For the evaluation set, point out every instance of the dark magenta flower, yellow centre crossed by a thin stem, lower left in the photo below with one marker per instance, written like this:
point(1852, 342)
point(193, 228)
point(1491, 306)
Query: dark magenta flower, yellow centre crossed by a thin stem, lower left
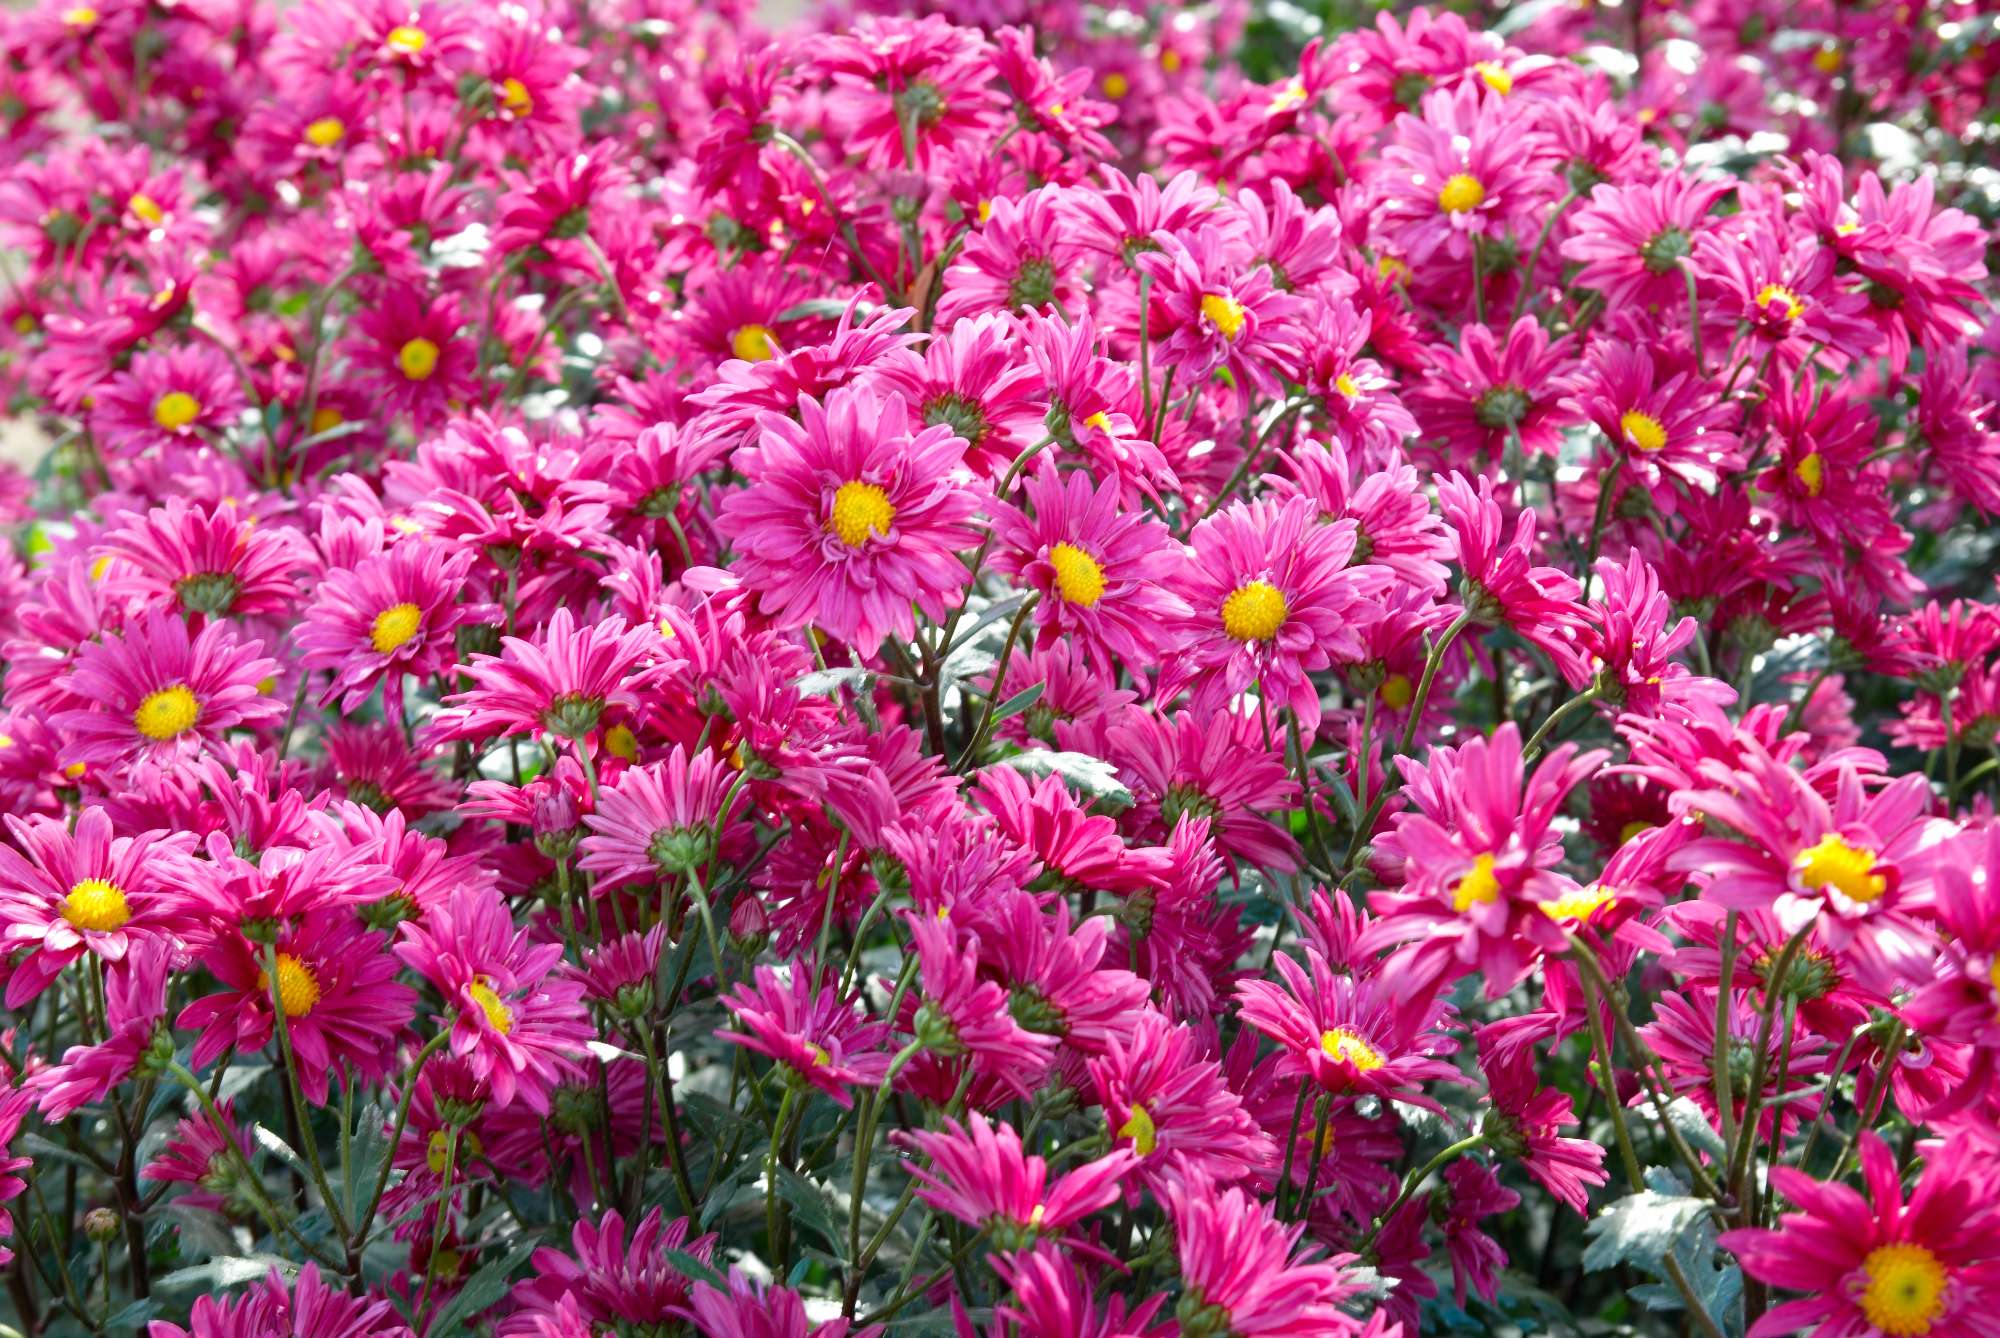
point(339, 991)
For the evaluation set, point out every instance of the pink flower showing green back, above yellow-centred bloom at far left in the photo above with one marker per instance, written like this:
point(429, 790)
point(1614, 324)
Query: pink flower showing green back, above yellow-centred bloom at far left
point(205, 561)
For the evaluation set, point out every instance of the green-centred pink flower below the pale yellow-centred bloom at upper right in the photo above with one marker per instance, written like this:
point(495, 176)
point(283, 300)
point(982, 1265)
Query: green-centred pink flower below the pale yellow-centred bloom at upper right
point(1485, 395)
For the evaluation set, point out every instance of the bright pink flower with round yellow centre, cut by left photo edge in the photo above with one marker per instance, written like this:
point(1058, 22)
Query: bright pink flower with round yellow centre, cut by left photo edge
point(85, 891)
